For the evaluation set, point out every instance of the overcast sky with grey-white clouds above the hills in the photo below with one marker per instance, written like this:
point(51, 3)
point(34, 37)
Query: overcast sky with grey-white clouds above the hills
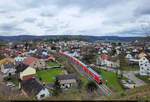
point(74, 17)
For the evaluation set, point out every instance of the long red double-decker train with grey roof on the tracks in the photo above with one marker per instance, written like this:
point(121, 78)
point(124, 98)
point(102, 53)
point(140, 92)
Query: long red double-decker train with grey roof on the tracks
point(88, 70)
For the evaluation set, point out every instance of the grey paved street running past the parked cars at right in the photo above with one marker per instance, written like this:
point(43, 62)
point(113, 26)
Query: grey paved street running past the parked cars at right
point(129, 74)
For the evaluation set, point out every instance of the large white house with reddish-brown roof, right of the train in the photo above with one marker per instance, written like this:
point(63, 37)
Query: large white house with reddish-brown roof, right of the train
point(108, 61)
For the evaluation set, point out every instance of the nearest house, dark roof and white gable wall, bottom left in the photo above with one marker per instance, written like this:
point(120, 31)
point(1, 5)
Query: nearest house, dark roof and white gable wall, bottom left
point(33, 87)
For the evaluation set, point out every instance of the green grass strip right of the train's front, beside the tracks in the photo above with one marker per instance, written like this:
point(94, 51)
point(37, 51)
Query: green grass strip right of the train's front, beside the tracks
point(112, 79)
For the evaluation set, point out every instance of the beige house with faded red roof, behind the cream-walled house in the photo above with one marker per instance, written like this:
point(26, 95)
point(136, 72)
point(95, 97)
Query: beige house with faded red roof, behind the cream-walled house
point(34, 62)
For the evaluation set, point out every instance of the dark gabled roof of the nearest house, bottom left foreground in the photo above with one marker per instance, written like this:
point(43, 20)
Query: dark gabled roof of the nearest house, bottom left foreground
point(32, 86)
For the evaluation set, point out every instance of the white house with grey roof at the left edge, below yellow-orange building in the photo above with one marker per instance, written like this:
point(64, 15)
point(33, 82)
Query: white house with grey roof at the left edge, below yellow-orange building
point(8, 67)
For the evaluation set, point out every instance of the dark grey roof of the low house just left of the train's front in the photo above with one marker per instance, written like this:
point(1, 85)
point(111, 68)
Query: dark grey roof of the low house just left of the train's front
point(66, 77)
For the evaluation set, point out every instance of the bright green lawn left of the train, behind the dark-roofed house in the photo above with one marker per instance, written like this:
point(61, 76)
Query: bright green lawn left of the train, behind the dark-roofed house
point(49, 74)
